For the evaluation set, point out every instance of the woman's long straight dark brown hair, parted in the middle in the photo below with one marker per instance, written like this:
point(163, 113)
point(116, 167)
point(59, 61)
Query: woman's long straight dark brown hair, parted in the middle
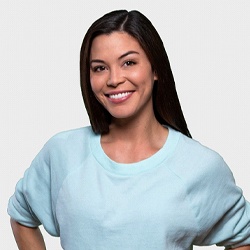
point(167, 108)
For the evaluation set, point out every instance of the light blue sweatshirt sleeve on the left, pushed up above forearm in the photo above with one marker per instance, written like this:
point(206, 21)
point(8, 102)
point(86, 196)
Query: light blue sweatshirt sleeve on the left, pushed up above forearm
point(32, 202)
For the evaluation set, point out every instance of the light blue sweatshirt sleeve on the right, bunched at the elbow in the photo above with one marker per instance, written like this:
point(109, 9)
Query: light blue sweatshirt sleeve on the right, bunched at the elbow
point(222, 212)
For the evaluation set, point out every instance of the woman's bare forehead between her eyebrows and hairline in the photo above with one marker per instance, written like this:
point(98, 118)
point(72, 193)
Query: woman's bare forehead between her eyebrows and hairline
point(114, 43)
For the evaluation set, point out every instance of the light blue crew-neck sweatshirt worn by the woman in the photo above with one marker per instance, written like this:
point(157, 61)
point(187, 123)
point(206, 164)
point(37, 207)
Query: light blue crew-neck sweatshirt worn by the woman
point(183, 195)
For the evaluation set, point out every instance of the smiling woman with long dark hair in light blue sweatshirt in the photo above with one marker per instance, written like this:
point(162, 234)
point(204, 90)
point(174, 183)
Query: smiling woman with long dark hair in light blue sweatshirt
point(135, 179)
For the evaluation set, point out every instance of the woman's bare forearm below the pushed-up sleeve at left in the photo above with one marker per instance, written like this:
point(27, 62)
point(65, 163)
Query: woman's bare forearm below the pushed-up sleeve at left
point(27, 238)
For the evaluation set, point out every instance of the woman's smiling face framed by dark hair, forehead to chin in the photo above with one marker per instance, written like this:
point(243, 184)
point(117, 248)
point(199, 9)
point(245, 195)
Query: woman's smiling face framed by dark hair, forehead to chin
point(121, 75)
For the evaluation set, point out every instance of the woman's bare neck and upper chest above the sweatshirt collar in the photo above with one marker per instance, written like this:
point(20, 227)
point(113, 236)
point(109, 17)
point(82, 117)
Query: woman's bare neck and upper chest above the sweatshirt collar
point(134, 141)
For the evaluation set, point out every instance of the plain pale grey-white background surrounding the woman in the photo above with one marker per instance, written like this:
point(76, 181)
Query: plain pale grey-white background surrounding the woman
point(208, 43)
